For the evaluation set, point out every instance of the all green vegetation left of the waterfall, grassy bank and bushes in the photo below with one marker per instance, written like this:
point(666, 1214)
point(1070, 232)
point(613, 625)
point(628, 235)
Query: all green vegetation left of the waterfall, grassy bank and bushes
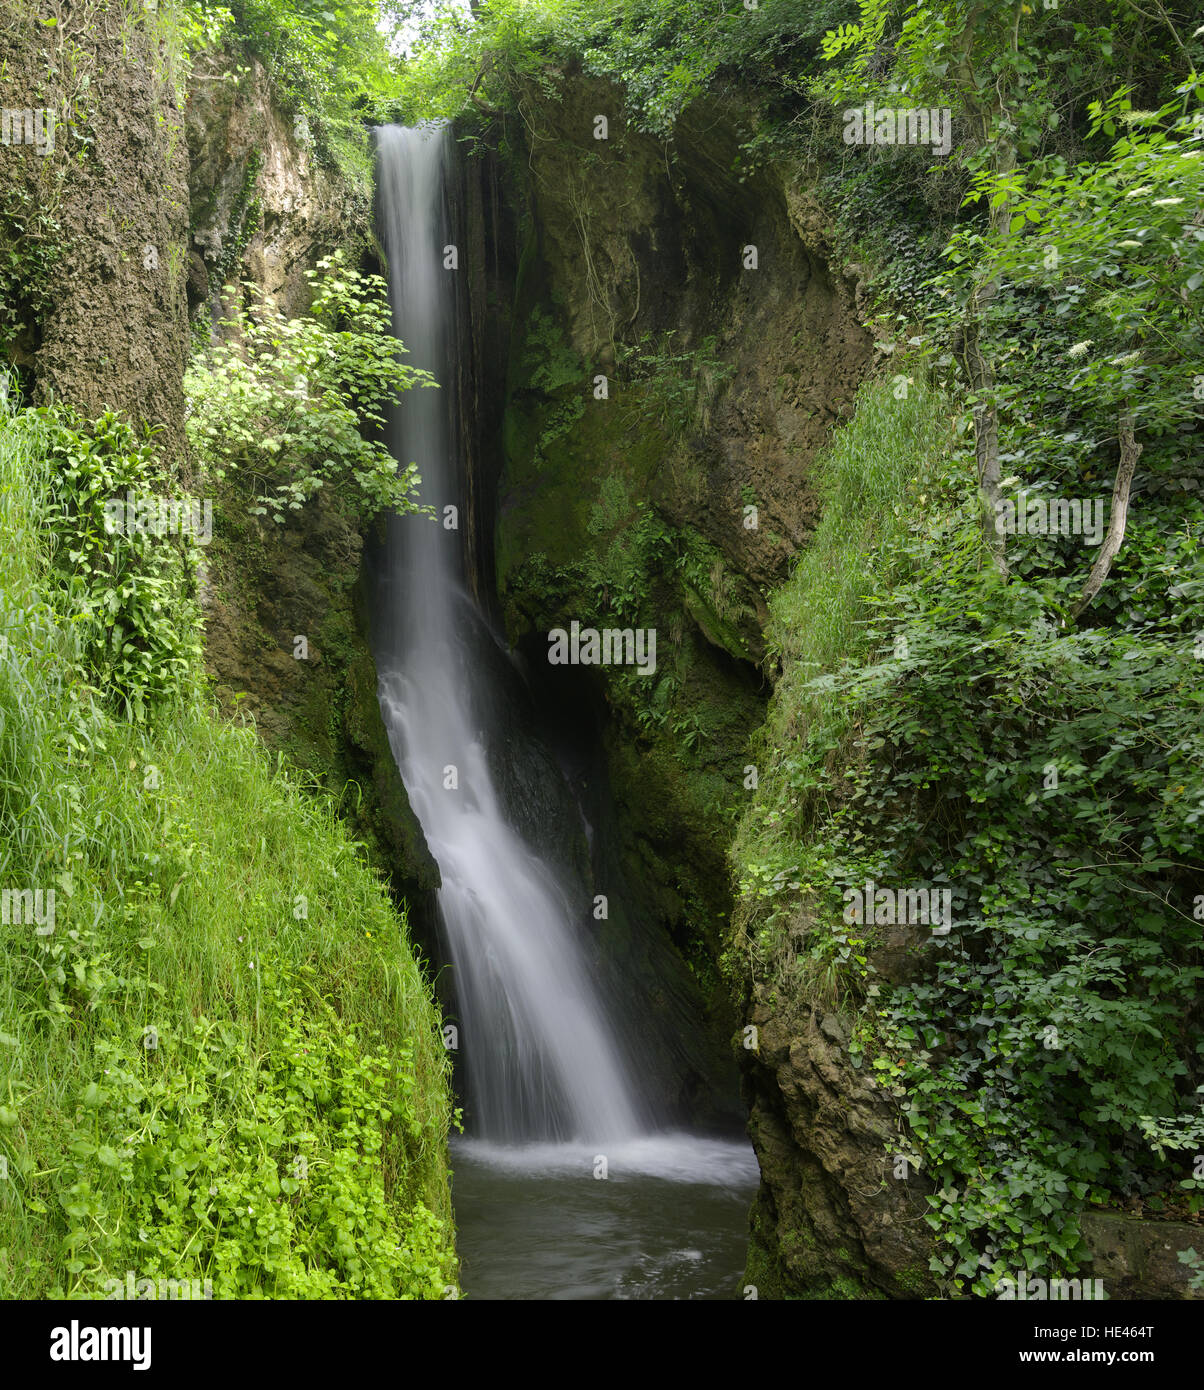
point(220, 1063)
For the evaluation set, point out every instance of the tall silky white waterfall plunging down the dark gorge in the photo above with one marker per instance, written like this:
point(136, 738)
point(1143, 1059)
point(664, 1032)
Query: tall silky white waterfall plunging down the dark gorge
point(542, 1057)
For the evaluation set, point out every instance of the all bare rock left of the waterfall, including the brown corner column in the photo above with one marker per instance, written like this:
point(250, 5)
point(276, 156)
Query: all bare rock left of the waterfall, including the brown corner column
point(147, 205)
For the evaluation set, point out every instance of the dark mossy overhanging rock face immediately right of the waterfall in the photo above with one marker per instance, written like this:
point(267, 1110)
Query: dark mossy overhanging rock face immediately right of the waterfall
point(679, 351)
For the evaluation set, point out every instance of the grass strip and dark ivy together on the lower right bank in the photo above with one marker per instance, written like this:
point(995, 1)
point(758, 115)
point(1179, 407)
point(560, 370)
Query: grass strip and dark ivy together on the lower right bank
point(960, 736)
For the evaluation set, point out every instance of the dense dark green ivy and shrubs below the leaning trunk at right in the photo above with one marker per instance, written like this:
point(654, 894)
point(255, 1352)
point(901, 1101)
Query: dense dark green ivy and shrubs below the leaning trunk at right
point(1052, 780)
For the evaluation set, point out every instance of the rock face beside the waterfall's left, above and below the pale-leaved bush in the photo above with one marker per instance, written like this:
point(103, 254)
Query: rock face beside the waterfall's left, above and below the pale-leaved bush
point(265, 211)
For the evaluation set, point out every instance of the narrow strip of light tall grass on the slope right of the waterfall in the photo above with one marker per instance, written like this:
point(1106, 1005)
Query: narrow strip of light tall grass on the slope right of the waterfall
point(875, 484)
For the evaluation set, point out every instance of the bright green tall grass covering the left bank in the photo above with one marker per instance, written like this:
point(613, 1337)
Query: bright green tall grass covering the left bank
point(197, 886)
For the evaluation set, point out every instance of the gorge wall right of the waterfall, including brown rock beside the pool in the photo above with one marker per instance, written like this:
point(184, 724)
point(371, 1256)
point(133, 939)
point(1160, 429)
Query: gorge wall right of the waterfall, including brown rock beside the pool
point(632, 507)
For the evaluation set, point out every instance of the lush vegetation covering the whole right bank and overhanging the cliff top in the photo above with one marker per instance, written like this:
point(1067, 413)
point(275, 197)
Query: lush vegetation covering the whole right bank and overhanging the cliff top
point(1010, 717)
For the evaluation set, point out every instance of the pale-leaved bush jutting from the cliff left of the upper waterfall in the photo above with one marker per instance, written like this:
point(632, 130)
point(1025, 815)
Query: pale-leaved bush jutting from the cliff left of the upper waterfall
point(288, 402)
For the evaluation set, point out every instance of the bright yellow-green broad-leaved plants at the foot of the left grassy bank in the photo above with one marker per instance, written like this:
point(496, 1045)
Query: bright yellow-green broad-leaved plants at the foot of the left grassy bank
point(276, 1223)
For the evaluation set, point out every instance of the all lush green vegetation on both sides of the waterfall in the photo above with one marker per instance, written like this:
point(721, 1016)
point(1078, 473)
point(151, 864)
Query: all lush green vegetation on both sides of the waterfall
point(223, 1064)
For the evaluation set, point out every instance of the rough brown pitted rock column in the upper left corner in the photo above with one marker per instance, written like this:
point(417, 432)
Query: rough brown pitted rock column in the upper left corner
point(109, 327)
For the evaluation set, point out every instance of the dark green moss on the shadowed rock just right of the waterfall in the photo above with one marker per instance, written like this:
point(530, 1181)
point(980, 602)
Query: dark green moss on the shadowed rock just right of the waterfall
point(586, 532)
